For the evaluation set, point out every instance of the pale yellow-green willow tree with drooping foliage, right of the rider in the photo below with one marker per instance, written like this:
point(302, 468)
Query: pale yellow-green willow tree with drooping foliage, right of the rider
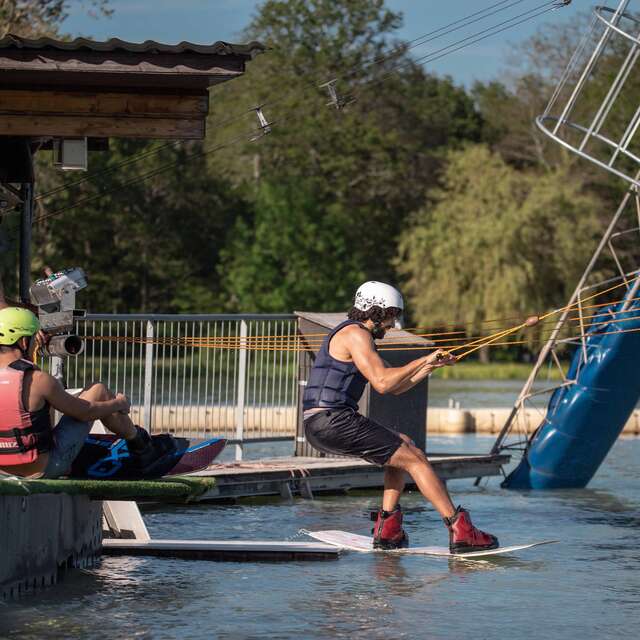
point(495, 242)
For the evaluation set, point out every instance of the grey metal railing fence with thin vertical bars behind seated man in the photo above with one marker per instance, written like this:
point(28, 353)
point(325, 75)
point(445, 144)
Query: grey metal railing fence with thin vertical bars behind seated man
point(219, 385)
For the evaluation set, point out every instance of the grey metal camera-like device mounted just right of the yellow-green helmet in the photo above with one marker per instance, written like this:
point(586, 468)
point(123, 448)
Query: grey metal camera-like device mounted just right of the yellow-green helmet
point(55, 297)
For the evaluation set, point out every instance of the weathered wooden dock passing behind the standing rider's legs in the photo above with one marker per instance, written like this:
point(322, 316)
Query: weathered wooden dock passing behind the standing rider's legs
point(290, 476)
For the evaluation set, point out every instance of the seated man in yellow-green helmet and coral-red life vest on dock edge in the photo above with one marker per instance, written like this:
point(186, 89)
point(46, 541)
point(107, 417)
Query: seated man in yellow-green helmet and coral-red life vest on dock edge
point(30, 446)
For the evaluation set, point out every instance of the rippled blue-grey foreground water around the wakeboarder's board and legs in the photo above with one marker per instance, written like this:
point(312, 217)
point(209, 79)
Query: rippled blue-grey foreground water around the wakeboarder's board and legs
point(587, 587)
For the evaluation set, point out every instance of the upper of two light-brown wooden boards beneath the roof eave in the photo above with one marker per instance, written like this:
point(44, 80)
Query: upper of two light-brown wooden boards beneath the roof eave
point(102, 104)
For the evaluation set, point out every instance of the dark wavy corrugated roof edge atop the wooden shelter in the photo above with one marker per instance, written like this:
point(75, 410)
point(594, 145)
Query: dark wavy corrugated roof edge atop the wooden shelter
point(219, 48)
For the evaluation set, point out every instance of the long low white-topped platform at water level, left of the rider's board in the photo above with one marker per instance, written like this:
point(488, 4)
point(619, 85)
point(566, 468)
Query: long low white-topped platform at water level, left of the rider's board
point(222, 549)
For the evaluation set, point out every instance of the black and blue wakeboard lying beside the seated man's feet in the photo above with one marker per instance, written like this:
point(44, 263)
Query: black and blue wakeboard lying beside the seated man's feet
point(106, 457)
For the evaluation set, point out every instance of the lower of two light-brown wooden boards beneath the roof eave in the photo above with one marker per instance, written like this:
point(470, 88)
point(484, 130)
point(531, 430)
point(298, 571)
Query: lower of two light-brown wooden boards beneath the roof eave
point(102, 127)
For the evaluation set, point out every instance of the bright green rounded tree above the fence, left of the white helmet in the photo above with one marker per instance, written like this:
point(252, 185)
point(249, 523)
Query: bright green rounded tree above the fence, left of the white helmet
point(290, 256)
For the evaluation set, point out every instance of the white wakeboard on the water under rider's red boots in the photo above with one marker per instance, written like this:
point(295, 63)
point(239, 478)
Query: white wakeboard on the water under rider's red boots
point(364, 544)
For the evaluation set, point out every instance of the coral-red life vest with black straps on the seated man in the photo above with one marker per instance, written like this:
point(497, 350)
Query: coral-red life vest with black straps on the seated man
point(23, 434)
